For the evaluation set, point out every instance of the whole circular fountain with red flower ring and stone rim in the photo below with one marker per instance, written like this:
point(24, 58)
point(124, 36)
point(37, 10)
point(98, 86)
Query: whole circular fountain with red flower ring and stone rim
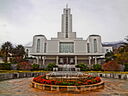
point(67, 80)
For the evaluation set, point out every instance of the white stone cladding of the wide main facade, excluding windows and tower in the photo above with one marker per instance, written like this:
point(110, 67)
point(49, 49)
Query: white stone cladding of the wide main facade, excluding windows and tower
point(80, 46)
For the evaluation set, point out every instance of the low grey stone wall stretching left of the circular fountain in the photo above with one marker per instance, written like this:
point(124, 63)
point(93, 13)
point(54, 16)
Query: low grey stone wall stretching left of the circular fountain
point(6, 76)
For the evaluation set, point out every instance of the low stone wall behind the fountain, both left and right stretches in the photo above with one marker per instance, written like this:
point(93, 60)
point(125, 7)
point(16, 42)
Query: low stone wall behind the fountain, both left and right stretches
point(5, 76)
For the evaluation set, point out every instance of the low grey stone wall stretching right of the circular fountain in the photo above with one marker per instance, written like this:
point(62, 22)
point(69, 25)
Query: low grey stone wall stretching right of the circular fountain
point(111, 75)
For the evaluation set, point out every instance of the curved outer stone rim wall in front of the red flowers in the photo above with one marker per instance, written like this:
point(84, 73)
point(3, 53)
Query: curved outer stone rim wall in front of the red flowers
point(67, 88)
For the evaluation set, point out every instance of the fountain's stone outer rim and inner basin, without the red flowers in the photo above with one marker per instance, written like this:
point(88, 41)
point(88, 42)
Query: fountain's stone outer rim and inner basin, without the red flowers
point(65, 76)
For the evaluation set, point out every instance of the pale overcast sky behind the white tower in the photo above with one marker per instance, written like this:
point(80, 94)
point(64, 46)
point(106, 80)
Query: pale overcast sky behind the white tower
point(20, 20)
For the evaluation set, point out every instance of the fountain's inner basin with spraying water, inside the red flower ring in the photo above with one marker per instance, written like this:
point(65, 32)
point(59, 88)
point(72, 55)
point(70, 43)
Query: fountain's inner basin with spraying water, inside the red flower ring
point(65, 74)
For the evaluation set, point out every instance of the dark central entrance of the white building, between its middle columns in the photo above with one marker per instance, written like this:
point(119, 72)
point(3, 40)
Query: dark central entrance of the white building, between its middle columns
point(67, 60)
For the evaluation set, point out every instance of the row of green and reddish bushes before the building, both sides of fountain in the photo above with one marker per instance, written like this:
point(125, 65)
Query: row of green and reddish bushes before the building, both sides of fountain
point(110, 66)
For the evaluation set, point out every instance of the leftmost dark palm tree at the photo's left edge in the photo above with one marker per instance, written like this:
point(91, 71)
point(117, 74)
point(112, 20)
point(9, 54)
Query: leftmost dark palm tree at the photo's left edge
point(6, 50)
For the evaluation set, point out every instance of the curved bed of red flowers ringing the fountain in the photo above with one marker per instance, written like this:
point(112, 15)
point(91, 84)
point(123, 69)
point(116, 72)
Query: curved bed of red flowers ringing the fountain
point(85, 81)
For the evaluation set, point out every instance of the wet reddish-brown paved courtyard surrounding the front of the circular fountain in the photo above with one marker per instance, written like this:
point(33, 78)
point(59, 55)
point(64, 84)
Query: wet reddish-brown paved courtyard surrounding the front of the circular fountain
point(21, 87)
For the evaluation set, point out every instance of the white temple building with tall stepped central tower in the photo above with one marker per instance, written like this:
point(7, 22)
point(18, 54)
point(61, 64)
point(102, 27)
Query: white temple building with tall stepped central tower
point(67, 48)
